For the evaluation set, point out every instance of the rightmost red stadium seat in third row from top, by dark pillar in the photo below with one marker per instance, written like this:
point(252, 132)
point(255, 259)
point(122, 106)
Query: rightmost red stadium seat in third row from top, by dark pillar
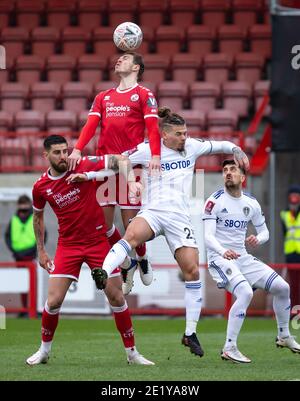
point(248, 67)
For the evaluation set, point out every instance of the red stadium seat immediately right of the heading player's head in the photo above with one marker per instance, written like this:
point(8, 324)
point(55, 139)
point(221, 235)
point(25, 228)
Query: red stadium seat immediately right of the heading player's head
point(156, 66)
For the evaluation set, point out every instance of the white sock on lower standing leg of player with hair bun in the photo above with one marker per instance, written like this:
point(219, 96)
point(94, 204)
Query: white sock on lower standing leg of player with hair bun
point(193, 303)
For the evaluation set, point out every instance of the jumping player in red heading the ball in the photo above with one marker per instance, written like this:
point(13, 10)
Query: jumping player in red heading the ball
point(123, 113)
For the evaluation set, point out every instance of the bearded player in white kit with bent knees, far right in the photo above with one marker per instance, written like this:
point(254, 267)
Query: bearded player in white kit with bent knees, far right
point(226, 215)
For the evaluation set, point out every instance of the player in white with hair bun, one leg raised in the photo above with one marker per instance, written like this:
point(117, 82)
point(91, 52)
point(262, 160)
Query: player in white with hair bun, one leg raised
point(165, 210)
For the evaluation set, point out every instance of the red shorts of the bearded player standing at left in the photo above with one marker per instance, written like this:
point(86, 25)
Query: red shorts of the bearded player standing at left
point(68, 259)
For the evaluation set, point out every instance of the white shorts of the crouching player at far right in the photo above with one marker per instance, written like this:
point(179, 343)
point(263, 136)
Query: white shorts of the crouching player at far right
point(247, 267)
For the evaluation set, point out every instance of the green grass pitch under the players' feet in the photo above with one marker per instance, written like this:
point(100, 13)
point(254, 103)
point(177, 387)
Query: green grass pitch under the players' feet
point(92, 350)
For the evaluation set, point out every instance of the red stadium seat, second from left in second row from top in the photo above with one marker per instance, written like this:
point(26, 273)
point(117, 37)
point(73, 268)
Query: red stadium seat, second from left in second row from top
point(44, 41)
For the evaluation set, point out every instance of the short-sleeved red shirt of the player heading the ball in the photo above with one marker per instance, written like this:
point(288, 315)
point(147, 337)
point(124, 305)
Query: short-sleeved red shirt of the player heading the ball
point(123, 115)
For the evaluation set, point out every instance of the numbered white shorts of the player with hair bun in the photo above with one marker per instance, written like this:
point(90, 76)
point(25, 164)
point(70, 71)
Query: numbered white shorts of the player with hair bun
point(177, 228)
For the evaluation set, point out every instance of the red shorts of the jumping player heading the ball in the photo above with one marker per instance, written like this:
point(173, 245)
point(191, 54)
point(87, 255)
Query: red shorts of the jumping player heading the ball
point(113, 190)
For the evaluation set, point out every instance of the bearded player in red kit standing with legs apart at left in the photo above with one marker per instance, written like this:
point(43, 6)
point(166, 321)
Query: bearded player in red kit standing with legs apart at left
point(82, 238)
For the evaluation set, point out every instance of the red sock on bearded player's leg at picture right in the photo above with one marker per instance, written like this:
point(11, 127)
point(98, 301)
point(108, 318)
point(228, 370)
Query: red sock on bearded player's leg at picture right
point(124, 325)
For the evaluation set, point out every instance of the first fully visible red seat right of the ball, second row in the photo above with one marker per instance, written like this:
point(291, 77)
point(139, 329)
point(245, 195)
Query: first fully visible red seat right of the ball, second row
point(169, 39)
